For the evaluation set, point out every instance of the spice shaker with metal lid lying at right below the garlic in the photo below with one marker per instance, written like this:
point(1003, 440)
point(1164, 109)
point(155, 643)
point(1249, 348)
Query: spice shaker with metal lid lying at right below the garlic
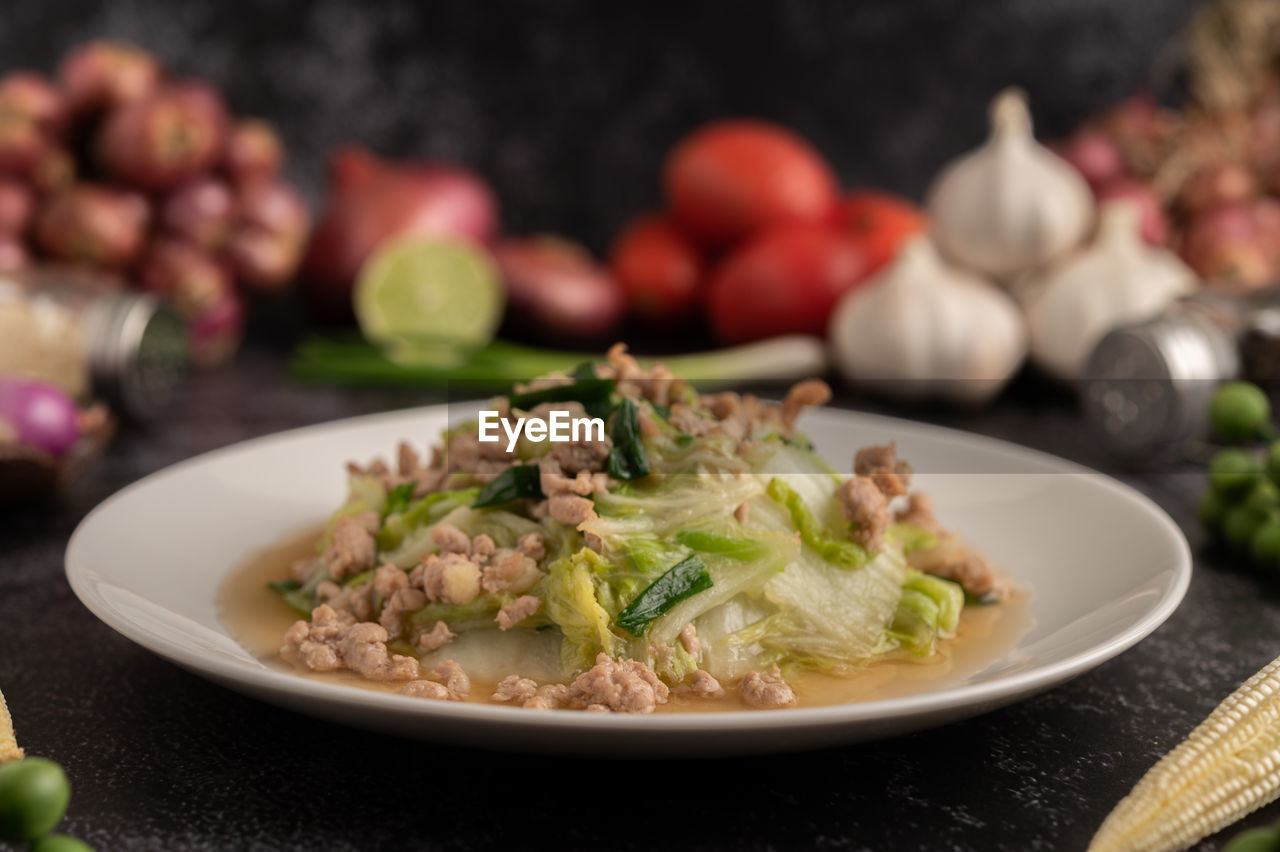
point(1148, 387)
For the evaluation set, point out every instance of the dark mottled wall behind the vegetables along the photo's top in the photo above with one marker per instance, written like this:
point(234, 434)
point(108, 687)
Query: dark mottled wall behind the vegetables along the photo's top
point(569, 106)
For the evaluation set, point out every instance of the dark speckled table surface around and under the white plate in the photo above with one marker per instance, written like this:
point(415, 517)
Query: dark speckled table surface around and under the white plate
point(161, 759)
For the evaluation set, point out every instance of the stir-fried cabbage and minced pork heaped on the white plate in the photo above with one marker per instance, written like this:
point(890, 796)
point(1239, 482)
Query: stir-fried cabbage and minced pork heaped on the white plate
point(692, 548)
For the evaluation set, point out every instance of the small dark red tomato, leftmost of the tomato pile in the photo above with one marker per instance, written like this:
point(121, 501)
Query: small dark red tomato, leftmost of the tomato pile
point(659, 269)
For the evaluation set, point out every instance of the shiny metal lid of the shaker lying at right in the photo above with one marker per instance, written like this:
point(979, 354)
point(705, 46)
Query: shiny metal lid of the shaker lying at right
point(1148, 387)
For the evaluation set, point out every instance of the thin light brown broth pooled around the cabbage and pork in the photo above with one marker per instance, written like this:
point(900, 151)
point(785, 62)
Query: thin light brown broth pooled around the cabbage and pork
point(258, 619)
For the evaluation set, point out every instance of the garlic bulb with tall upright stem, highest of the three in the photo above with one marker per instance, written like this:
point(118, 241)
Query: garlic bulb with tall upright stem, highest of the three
point(1012, 204)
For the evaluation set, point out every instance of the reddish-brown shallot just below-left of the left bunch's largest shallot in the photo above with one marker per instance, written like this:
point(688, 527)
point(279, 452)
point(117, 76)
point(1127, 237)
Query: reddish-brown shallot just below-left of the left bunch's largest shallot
point(94, 226)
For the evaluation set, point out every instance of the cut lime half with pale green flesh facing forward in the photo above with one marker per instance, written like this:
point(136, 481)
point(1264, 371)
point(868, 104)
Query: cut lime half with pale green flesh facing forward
point(429, 301)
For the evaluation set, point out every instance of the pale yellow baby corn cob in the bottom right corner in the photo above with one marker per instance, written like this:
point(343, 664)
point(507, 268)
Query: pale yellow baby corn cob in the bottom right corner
point(1227, 768)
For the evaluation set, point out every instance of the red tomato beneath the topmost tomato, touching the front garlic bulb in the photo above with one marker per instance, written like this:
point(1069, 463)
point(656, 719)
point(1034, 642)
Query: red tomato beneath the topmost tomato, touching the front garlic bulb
point(785, 282)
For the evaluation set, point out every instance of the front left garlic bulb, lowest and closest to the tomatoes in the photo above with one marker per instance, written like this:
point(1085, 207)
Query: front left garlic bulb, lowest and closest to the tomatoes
point(921, 328)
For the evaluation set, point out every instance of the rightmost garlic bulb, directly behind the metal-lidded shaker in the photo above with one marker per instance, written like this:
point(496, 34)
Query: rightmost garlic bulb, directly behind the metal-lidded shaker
point(1118, 280)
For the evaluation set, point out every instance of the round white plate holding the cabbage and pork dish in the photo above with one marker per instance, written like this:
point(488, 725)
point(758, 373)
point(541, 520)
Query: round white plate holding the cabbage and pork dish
point(1105, 567)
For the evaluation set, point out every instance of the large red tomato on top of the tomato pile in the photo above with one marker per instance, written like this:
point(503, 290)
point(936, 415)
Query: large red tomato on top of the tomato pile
point(732, 178)
